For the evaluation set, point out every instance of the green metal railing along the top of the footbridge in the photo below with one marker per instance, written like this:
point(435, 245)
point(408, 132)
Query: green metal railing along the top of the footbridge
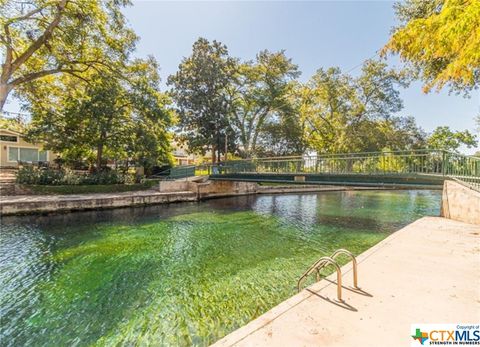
point(465, 169)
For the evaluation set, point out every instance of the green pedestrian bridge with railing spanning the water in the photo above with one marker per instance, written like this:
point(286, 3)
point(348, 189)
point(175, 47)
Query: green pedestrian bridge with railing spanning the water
point(415, 168)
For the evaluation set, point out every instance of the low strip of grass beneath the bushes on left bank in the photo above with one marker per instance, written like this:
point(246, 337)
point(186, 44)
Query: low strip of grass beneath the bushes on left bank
point(85, 189)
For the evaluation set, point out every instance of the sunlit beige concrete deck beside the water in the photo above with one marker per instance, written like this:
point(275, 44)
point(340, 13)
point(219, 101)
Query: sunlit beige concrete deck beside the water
point(427, 272)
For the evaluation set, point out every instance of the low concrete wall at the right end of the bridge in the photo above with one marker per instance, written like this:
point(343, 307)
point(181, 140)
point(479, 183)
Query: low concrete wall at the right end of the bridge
point(460, 203)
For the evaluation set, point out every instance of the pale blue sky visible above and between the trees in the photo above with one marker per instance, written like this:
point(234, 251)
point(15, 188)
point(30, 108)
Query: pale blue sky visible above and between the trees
point(314, 34)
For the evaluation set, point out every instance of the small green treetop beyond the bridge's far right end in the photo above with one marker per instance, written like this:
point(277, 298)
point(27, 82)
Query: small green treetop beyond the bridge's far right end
point(444, 138)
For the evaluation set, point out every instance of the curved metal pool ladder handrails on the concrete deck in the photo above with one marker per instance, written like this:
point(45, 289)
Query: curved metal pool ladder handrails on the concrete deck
point(325, 261)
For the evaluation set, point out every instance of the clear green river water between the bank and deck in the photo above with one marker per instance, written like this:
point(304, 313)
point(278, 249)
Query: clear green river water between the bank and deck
point(183, 274)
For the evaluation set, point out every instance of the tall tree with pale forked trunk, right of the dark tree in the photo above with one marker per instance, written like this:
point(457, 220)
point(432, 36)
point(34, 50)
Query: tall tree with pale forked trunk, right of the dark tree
point(260, 95)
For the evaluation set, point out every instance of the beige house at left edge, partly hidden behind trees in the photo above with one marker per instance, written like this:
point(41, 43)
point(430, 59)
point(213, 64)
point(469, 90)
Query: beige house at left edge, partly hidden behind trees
point(14, 149)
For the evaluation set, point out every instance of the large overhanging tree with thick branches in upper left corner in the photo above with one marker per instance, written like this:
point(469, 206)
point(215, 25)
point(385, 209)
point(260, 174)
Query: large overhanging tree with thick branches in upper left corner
point(41, 39)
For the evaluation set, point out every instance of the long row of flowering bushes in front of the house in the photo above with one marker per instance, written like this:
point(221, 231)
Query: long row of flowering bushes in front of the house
point(46, 176)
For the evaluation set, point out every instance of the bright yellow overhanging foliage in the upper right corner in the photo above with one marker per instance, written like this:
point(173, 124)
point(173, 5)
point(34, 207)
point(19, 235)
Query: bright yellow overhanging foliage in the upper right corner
point(440, 41)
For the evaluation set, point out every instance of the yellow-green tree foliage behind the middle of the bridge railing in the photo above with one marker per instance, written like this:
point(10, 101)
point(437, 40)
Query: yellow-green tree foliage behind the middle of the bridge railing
point(339, 113)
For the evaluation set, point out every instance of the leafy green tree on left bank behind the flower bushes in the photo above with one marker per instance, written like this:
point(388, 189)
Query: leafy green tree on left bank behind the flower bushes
point(125, 118)
